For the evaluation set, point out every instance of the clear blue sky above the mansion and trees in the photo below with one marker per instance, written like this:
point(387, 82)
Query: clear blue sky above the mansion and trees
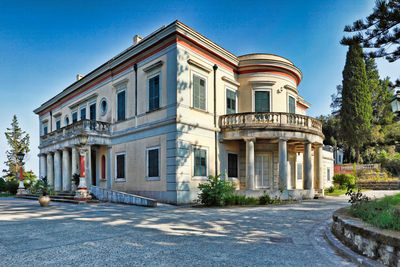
point(44, 44)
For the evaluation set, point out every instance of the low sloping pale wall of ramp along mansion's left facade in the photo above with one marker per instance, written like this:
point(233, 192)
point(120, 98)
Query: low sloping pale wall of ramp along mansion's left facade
point(121, 197)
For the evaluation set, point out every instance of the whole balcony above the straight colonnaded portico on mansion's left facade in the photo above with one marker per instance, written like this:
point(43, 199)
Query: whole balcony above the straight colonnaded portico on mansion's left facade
point(98, 132)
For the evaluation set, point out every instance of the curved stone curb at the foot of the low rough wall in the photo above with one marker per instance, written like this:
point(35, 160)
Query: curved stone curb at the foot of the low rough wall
point(347, 252)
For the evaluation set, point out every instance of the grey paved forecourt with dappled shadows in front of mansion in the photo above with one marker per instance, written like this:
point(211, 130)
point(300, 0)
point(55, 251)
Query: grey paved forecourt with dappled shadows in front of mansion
point(108, 234)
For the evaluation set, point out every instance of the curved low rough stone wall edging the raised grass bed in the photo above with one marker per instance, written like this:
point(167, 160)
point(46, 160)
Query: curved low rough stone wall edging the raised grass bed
point(374, 243)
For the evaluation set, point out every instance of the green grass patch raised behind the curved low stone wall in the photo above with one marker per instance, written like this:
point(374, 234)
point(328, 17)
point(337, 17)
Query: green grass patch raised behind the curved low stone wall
point(383, 213)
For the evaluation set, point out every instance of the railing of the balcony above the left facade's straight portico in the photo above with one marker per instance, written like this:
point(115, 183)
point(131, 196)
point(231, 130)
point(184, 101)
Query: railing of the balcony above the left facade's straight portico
point(89, 127)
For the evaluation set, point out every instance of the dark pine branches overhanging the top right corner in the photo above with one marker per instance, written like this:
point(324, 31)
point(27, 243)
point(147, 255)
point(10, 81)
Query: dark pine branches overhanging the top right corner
point(380, 31)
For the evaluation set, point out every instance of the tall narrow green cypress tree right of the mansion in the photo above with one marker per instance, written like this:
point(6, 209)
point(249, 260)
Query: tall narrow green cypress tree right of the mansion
point(356, 108)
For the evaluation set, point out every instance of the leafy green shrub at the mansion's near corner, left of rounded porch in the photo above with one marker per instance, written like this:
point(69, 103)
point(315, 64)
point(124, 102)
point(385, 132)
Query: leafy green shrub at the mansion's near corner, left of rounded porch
point(215, 191)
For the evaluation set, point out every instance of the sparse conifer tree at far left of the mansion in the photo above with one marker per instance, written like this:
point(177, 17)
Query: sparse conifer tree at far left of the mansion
point(18, 141)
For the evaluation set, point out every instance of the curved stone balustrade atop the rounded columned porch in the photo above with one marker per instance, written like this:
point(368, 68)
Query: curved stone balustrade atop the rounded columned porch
point(270, 120)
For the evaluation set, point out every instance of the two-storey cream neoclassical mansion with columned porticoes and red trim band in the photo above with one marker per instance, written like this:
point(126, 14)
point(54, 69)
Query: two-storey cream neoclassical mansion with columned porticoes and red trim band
point(175, 107)
